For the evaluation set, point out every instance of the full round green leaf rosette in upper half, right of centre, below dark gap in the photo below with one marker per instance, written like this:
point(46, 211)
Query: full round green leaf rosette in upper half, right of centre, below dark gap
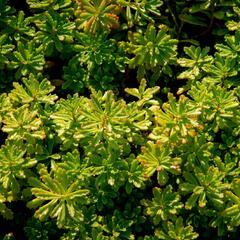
point(151, 50)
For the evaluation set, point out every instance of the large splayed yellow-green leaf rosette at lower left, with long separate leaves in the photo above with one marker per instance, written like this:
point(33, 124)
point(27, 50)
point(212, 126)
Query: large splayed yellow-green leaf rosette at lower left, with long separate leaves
point(61, 193)
